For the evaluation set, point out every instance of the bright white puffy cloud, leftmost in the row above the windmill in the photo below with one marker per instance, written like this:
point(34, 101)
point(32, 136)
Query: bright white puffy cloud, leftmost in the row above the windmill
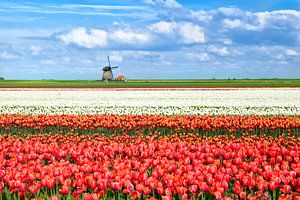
point(82, 38)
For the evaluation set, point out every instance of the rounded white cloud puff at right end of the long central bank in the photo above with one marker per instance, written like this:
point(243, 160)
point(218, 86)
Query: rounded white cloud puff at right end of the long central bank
point(191, 33)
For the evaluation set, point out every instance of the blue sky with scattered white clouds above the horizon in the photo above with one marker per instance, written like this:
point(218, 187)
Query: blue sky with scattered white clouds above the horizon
point(150, 39)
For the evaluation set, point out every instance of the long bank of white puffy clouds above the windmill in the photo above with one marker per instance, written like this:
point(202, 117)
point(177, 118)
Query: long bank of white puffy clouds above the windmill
point(176, 34)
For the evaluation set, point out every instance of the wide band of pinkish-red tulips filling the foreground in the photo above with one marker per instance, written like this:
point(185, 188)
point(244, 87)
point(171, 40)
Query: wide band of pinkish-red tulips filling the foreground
point(122, 167)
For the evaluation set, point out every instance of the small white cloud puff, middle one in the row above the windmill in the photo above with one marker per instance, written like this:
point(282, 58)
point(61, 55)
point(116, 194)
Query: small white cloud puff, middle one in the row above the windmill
point(129, 37)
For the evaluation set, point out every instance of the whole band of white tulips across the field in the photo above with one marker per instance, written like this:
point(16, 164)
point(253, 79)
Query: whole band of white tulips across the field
point(285, 101)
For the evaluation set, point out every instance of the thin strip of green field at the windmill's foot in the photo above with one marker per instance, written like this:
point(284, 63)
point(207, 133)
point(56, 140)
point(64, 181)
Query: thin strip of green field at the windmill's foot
point(151, 83)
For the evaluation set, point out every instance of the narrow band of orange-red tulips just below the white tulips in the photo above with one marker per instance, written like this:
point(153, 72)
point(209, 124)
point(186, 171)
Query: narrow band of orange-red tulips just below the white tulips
point(171, 124)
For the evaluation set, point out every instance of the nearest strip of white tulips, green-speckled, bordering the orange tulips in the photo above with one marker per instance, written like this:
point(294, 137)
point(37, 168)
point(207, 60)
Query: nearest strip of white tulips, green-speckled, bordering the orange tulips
point(163, 110)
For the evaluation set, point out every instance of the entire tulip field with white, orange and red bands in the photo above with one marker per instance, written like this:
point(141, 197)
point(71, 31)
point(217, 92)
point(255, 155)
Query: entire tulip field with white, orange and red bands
point(164, 144)
